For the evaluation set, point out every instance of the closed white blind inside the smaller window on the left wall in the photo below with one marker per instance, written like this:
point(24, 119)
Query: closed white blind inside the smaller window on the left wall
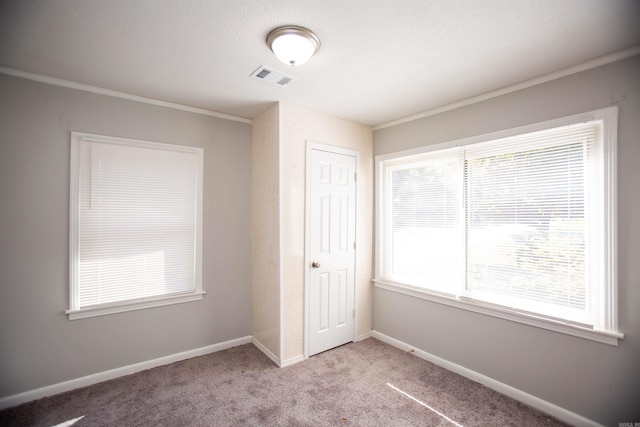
point(137, 222)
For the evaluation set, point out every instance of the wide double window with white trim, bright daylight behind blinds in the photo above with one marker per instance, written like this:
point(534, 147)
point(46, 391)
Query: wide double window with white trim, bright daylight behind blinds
point(518, 224)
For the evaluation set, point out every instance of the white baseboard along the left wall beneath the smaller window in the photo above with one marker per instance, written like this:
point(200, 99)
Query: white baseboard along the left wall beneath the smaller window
point(28, 396)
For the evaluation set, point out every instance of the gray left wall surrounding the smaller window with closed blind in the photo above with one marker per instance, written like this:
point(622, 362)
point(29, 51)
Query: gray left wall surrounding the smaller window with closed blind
point(38, 345)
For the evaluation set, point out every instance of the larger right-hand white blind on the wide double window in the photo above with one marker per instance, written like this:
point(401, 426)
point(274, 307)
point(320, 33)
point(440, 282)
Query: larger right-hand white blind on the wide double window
point(528, 221)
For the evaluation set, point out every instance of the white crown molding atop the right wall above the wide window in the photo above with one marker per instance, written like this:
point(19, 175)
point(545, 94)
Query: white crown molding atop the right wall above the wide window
point(603, 60)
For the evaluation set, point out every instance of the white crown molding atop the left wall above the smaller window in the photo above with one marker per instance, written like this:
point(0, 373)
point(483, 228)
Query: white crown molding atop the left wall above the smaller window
point(117, 94)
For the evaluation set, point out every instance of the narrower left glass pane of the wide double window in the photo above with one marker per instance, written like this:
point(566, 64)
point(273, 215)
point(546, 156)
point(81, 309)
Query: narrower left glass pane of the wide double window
point(426, 239)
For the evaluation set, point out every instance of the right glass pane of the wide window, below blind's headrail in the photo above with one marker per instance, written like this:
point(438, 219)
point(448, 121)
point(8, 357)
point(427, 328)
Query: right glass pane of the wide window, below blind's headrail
point(526, 225)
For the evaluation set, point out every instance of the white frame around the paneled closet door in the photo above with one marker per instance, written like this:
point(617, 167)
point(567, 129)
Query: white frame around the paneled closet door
point(311, 146)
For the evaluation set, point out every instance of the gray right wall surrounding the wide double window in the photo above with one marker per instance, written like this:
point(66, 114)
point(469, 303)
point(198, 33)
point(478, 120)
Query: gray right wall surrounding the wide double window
point(597, 381)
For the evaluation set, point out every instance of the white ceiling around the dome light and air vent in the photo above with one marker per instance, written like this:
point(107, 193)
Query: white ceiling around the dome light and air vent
point(379, 60)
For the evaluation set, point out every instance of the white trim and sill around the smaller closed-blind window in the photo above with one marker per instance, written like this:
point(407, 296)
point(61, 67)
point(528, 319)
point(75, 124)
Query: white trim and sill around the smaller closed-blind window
point(74, 312)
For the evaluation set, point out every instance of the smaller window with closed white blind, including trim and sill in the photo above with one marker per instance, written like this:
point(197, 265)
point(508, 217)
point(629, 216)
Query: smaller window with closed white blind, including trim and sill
point(135, 225)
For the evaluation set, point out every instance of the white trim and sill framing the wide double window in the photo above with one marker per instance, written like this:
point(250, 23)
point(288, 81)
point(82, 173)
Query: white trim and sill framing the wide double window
point(610, 333)
